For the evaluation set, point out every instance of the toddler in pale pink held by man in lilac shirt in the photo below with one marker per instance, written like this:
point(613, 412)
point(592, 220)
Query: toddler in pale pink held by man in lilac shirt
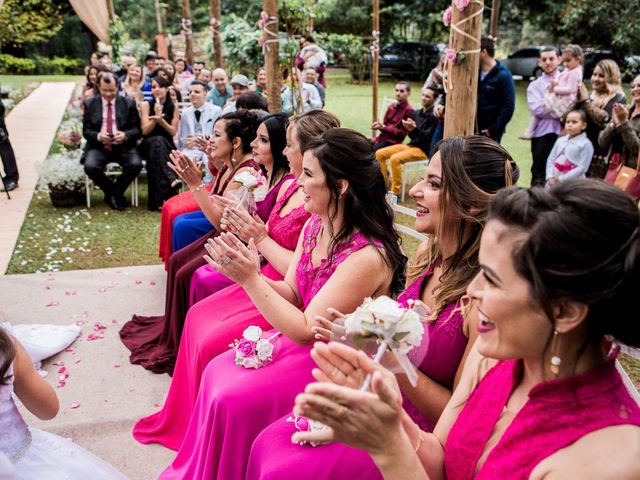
point(562, 91)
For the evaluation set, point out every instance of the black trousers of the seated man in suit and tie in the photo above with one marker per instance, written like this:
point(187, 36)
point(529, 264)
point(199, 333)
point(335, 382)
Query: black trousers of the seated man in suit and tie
point(97, 159)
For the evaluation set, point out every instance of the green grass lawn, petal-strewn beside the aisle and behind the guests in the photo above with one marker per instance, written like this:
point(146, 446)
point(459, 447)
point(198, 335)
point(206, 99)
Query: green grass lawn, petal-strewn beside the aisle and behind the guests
point(81, 238)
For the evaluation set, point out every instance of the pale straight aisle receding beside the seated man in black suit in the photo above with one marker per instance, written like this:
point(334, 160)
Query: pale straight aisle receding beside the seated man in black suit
point(32, 125)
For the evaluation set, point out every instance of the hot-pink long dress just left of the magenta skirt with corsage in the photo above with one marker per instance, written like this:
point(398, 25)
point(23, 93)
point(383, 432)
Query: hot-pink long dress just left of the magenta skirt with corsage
point(210, 326)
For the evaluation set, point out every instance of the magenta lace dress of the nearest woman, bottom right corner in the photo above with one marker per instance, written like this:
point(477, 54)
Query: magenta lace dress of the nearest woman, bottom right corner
point(558, 413)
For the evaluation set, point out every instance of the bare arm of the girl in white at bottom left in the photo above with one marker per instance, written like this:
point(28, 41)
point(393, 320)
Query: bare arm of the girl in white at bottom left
point(33, 391)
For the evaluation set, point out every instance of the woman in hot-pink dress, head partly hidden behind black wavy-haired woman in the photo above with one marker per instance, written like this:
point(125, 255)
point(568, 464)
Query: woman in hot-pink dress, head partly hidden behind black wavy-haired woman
point(207, 335)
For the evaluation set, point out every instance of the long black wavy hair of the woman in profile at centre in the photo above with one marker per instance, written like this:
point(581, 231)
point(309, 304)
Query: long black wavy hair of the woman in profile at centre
point(344, 154)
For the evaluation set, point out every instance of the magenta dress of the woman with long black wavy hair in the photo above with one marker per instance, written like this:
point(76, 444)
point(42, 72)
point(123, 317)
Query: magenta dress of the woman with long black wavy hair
point(234, 403)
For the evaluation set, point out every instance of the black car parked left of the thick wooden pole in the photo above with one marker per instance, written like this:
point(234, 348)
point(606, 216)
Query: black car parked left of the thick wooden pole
point(408, 59)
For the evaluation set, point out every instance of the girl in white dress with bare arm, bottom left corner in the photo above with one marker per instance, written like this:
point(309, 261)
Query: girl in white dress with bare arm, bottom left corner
point(35, 454)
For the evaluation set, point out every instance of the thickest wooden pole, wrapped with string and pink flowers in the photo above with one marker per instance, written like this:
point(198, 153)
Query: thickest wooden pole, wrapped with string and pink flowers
point(462, 84)
